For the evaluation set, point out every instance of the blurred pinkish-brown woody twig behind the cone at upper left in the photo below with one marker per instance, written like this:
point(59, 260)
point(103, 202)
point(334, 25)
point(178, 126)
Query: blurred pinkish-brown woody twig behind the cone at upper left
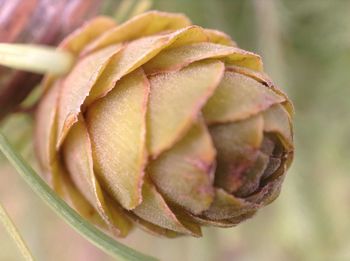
point(40, 22)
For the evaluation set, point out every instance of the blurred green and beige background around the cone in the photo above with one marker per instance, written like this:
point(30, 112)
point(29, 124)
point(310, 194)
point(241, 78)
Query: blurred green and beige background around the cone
point(305, 45)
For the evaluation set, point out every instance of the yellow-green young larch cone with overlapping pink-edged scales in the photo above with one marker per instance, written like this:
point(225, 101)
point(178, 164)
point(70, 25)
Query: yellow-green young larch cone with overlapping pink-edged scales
point(164, 124)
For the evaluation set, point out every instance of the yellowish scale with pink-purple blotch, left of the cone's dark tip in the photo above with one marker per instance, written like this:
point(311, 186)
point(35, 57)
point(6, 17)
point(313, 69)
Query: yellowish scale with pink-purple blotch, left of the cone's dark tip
point(185, 173)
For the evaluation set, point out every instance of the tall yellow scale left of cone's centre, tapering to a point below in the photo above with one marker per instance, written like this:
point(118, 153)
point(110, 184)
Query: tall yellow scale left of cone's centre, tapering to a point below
point(117, 128)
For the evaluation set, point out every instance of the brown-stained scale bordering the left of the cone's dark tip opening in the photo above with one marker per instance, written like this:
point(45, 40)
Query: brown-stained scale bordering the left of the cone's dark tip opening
point(237, 146)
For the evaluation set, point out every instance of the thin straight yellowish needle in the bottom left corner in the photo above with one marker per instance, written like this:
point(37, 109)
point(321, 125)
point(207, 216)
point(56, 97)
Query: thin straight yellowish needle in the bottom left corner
point(9, 225)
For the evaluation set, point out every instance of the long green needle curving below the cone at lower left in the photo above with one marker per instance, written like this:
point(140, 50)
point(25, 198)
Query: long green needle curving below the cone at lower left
point(94, 235)
